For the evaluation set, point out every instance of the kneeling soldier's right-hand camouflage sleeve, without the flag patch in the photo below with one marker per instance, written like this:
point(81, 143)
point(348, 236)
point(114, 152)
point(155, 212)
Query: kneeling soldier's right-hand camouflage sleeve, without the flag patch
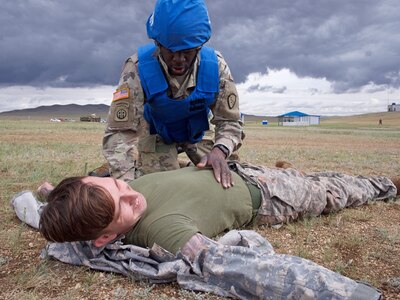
point(226, 113)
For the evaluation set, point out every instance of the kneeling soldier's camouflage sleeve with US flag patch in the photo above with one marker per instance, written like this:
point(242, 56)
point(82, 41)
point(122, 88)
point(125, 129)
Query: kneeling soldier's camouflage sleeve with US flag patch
point(125, 123)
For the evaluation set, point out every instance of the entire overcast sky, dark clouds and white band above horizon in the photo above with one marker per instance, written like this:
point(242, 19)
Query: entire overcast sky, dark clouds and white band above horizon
point(318, 56)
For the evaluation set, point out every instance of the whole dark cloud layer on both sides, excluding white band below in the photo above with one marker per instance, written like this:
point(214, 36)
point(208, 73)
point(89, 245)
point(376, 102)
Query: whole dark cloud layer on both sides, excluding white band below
point(71, 43)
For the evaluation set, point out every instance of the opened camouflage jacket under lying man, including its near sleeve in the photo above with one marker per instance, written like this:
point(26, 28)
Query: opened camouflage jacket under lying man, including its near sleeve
point(242, 266)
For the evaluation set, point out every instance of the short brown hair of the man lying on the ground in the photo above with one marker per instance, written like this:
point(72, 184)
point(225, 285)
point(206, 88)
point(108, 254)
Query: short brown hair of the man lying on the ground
point(78, 211)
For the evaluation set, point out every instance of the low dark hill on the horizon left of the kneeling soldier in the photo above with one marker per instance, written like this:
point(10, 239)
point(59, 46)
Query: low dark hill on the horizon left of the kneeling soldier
point(72, 111)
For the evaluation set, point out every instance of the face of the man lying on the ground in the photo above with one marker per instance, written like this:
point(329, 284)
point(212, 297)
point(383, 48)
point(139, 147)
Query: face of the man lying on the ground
point(129, 204)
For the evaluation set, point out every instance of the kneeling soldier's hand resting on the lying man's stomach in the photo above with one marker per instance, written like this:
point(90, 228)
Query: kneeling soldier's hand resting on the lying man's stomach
point(216, 160)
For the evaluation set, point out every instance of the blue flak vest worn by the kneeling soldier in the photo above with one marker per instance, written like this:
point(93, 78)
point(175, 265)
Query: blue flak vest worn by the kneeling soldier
point(183, 120)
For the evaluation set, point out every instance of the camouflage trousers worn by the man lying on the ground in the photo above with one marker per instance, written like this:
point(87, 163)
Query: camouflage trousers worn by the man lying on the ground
point(288, 194)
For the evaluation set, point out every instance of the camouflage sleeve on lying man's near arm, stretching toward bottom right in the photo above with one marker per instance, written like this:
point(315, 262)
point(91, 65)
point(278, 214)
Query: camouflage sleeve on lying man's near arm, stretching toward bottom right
point(250, 273)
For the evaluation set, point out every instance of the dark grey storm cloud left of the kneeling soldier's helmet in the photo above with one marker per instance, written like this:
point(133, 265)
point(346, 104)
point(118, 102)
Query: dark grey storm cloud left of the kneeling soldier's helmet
point(68, 43)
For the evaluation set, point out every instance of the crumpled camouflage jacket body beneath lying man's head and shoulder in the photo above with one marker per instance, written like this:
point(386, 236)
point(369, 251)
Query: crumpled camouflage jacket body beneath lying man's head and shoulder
point(155, 265)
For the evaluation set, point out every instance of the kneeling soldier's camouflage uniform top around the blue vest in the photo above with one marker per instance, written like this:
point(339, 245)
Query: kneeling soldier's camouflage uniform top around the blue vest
point(127, 144)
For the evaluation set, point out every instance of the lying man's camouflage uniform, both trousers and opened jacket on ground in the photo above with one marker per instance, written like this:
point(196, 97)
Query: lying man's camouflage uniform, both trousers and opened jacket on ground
point(244, 265)
